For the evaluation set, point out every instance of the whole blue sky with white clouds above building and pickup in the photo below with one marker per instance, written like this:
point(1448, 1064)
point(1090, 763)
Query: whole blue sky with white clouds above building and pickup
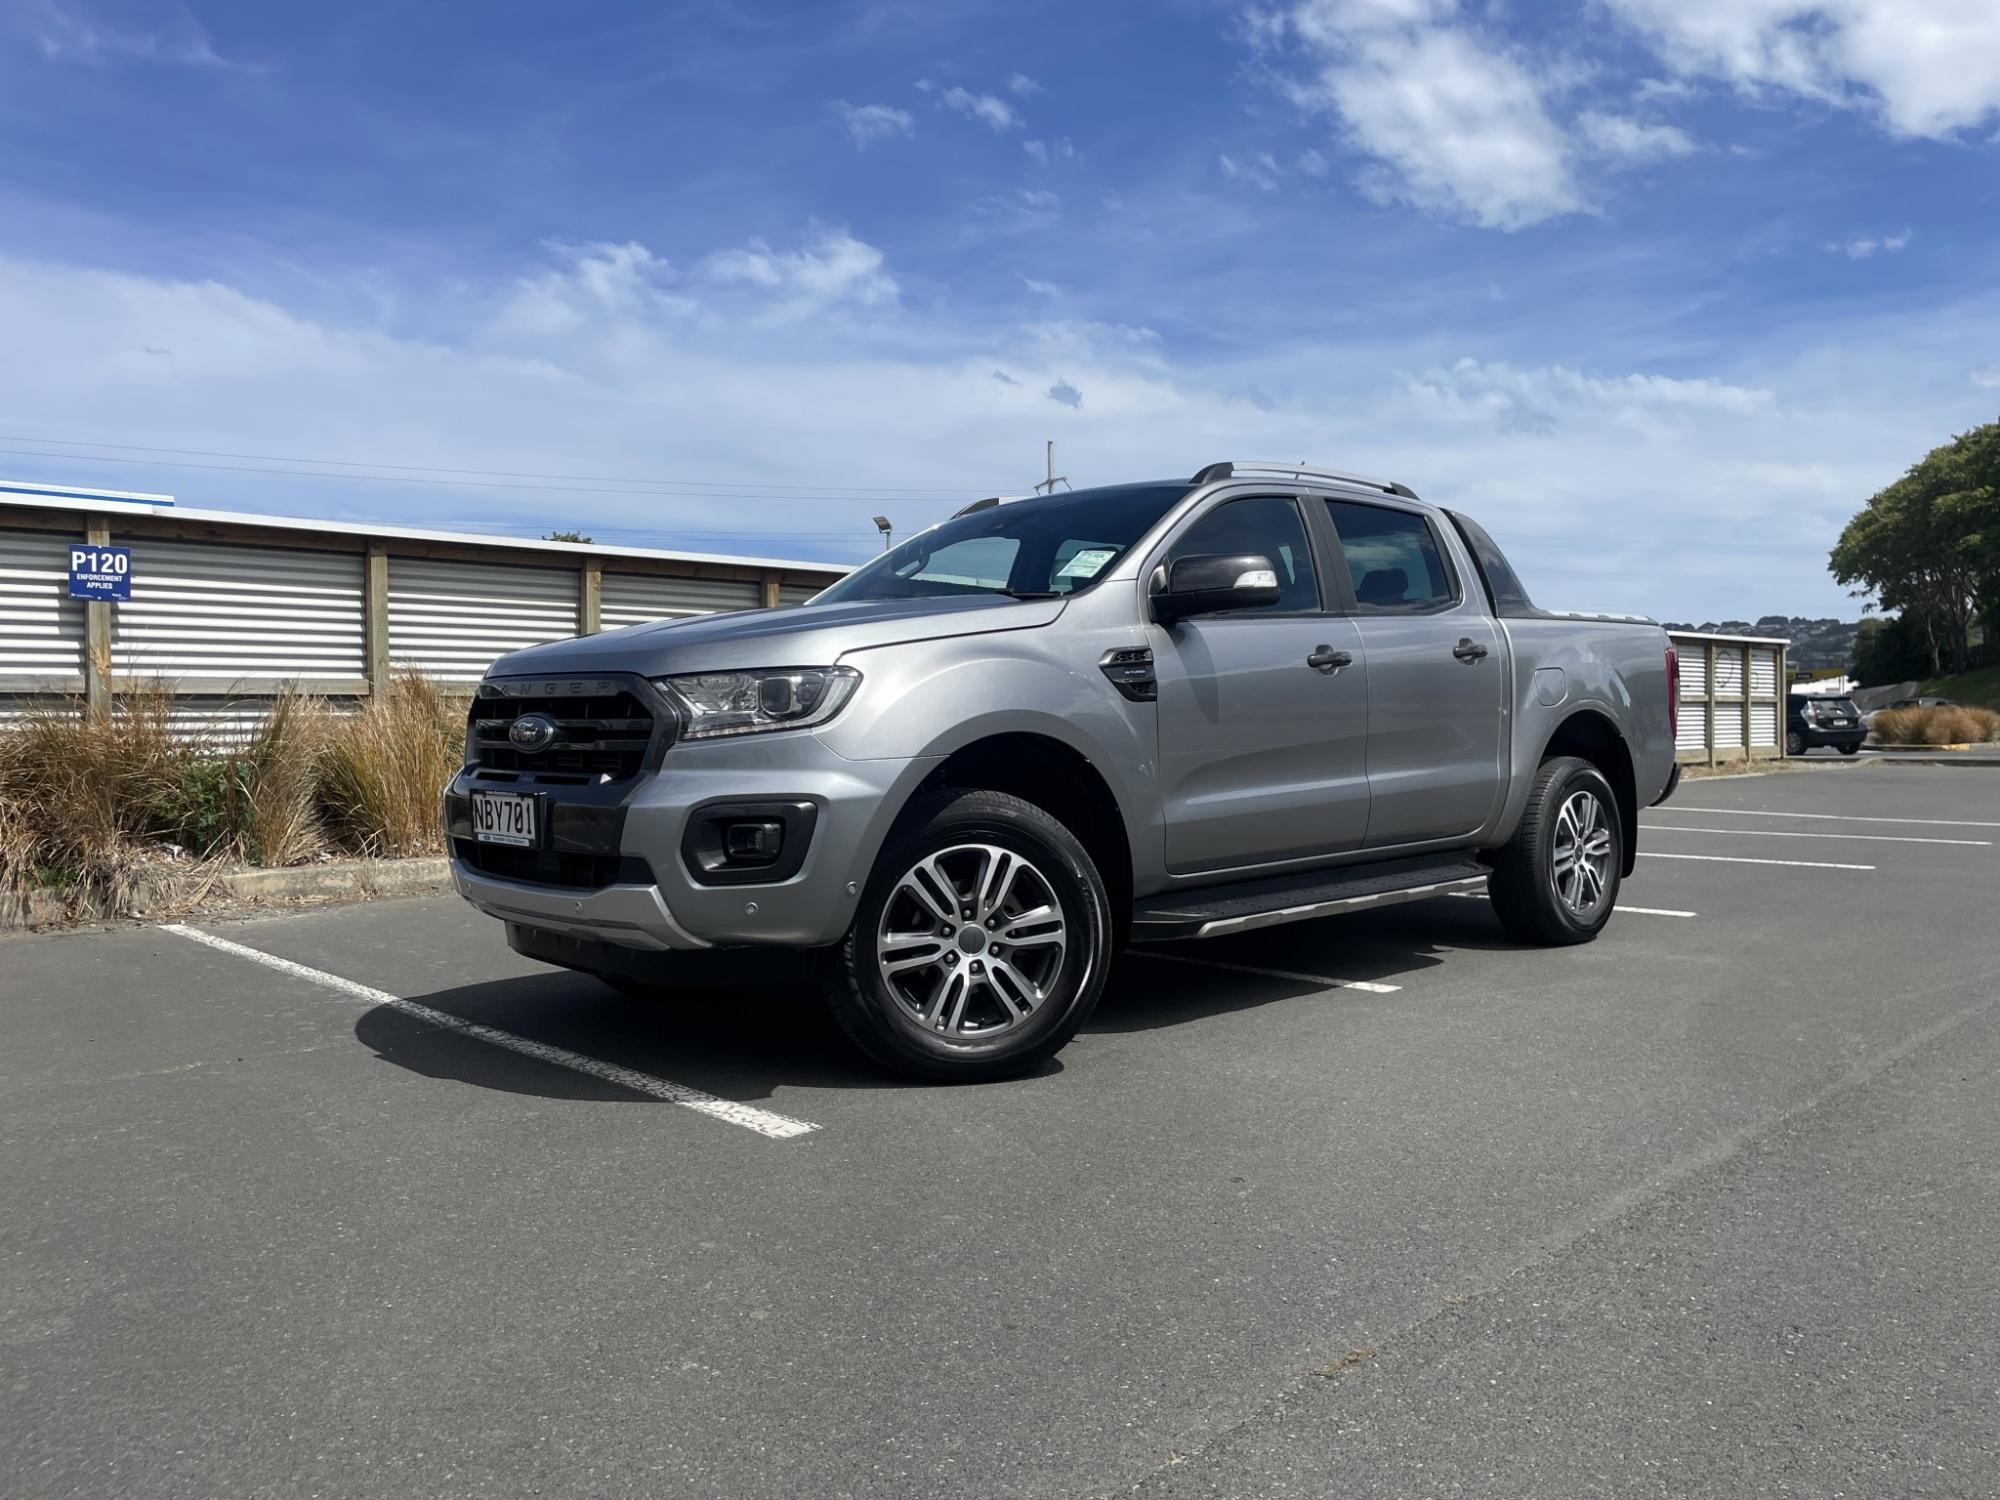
point(1661, 289)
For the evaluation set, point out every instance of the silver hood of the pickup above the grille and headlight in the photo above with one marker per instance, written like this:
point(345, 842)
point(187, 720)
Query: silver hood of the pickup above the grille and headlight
point(813, 635)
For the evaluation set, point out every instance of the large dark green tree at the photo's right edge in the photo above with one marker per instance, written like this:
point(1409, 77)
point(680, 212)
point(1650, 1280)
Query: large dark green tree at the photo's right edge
point(1929, 545)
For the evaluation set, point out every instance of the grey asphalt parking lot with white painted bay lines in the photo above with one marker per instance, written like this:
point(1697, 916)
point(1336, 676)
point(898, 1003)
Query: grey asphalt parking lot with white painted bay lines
point(1383, 1205)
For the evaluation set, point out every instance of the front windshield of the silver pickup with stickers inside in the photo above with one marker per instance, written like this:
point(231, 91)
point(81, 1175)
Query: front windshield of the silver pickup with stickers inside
point(1029, 549)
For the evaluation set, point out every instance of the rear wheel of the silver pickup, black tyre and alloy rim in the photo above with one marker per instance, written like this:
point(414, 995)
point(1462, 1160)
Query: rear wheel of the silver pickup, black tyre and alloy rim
point(1557, 879)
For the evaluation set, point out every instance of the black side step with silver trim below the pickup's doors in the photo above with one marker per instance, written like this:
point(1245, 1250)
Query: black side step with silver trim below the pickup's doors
point(1267, 903)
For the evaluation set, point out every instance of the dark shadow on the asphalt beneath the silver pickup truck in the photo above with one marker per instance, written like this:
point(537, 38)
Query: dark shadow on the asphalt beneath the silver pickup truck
point(769, 1033)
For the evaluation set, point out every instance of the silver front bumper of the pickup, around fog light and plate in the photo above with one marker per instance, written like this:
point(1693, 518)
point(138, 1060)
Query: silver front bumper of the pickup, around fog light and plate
point(853, 801)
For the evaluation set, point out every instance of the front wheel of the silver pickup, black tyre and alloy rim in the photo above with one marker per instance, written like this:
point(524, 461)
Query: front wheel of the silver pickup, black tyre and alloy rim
point(981, 943)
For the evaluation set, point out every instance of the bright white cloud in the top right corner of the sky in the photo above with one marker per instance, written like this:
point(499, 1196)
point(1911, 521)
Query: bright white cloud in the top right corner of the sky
point(1923, 67)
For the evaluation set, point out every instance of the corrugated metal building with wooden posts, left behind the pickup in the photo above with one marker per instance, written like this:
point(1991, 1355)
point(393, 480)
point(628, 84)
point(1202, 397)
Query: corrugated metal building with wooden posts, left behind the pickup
point(229, 605)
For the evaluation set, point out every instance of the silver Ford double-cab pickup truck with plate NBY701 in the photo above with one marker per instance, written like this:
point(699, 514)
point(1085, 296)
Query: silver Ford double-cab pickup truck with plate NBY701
point(977, 769)
